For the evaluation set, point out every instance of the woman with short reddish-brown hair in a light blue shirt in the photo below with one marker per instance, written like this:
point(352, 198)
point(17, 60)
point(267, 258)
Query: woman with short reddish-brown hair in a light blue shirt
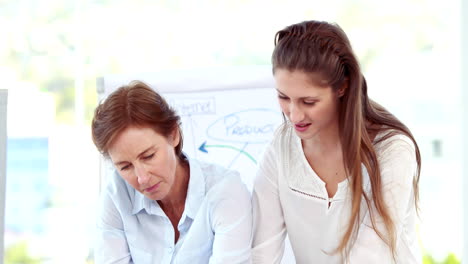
point(161, 206)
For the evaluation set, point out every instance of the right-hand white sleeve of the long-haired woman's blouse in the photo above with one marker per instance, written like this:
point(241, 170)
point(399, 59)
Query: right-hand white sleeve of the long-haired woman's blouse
point(398, 168)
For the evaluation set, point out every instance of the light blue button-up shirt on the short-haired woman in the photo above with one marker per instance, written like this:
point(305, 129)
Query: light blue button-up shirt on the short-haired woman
point(215, 227)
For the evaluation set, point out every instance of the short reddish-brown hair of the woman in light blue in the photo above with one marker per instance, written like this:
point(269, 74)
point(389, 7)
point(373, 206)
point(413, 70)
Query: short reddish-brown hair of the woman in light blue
point(135, 104)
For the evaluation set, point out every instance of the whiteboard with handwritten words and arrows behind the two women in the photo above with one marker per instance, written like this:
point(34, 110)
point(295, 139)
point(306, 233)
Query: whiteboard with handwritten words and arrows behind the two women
point(228, 114)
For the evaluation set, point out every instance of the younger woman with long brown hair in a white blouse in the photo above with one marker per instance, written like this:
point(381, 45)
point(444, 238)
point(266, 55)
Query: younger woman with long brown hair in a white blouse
point(340, 177)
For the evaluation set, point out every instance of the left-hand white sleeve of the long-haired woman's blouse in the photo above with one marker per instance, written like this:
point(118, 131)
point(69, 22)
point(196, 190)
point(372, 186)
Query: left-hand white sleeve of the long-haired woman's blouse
point(269, 227)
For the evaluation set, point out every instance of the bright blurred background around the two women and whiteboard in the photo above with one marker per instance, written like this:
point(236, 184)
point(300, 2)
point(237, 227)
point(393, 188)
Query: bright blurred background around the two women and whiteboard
point(53, 51)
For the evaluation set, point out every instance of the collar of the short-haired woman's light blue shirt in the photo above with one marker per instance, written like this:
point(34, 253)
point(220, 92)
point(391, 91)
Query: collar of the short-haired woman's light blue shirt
point(195, 194)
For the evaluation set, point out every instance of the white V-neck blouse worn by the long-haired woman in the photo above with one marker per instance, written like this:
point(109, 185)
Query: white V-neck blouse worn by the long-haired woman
point(289, 198)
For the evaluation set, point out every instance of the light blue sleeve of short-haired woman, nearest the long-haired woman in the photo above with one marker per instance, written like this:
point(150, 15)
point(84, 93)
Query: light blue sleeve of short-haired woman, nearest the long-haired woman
point(231, 216)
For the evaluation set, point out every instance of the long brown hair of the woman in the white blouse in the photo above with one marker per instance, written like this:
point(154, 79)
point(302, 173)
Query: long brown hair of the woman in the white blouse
point(317, 47)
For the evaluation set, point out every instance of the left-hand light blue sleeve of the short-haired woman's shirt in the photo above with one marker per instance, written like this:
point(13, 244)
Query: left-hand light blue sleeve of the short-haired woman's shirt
point(111, 243)
